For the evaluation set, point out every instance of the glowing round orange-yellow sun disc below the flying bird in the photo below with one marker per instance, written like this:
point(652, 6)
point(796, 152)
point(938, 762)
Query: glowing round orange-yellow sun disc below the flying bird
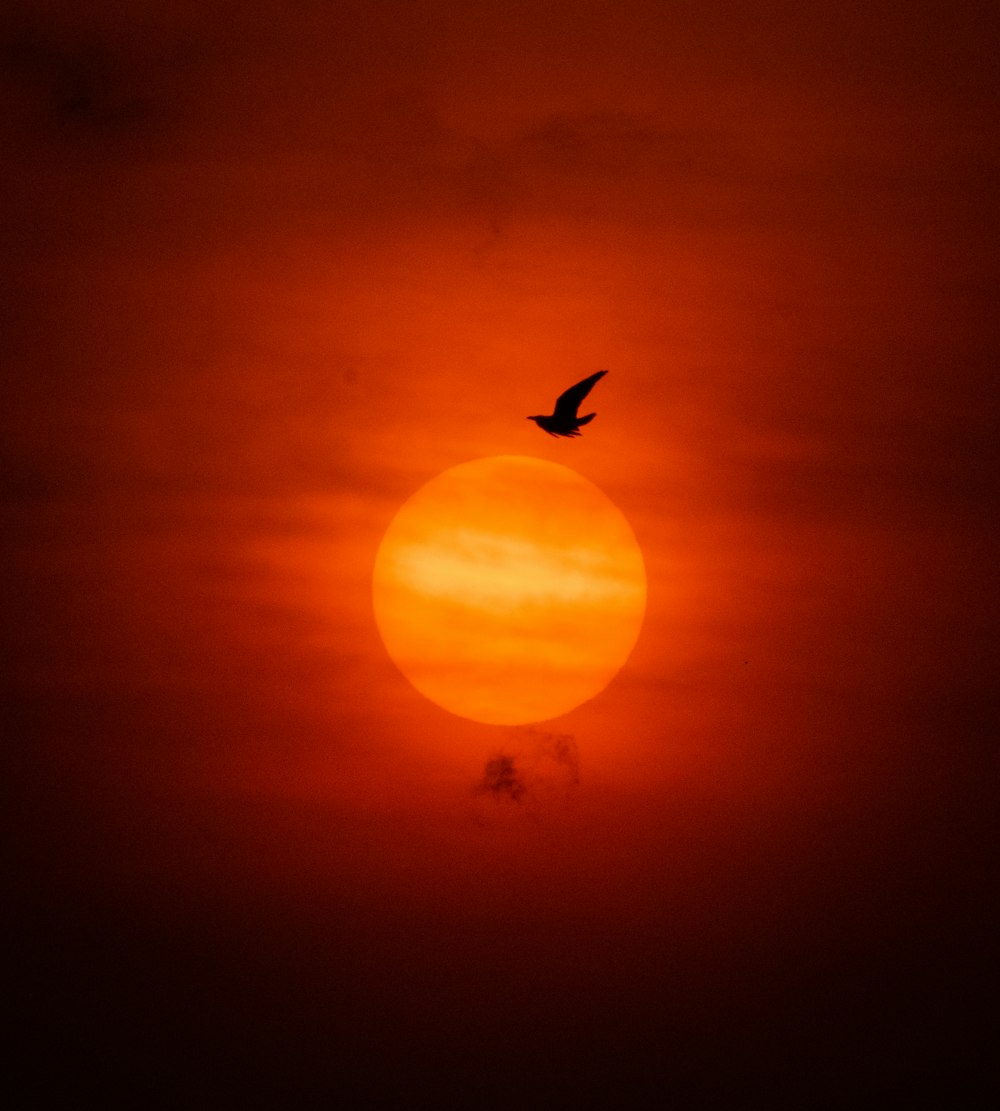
point(509, 590)
